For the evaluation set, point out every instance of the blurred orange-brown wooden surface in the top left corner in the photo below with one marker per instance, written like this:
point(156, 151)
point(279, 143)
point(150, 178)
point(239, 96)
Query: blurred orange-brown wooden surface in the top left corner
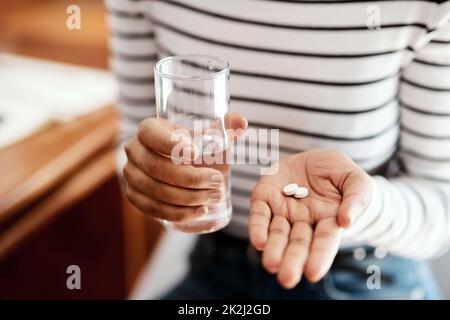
point(38, 28)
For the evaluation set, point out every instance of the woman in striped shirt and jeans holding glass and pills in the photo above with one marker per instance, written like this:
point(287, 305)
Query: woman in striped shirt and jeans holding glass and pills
point(360, 91)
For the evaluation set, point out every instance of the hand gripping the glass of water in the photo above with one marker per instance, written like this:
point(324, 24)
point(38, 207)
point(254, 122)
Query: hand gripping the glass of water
point(167, 189)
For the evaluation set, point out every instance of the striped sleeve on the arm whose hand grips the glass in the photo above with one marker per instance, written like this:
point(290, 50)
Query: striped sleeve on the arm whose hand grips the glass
point(132, 56)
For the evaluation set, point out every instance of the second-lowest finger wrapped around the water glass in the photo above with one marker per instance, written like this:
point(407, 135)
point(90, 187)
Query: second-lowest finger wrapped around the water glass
point(168, 193)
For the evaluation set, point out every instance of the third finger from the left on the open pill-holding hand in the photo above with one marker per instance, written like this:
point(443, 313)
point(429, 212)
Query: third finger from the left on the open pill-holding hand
point(296, 253)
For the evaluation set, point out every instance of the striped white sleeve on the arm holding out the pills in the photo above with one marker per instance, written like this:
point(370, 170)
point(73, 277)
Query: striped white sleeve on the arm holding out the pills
point(410, 215)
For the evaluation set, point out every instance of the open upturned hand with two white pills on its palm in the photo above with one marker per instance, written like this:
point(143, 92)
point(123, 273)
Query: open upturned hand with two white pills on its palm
point(302, 236)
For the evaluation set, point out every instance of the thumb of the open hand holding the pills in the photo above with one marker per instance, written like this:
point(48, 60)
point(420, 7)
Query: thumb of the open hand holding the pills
point(357, 191)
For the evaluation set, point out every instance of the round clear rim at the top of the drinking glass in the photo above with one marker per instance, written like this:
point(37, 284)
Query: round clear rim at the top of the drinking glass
point(188, 57)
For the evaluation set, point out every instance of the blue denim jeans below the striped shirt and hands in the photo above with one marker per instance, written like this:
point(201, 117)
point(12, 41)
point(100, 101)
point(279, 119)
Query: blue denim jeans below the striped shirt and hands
point(223, 267)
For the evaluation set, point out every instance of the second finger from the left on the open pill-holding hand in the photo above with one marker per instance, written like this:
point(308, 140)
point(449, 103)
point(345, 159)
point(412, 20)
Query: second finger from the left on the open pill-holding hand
point(276, 243)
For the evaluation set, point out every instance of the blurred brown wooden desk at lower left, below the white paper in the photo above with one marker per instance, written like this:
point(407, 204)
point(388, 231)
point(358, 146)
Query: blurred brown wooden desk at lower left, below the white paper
point(61, 205)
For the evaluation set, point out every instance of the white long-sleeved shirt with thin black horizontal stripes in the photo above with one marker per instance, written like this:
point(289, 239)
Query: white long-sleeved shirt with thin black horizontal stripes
point(368, 78)
